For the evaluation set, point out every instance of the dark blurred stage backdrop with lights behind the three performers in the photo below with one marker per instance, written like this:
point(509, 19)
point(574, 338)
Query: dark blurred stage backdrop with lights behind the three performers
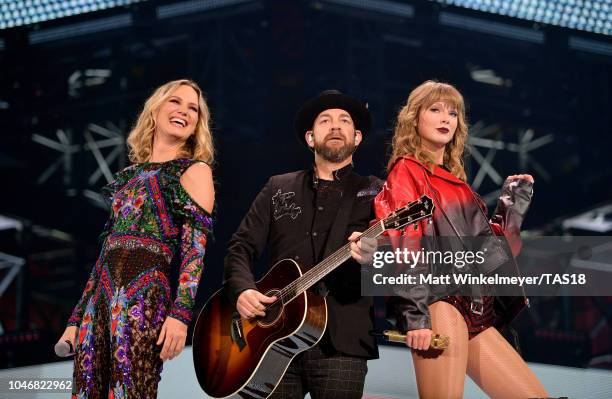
point(536, 75)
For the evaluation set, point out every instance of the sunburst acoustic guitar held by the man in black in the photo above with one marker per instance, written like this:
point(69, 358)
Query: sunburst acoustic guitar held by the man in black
point(246, 358)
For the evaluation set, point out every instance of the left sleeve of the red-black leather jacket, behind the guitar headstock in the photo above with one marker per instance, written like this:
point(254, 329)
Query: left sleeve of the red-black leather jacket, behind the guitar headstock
point(409, 307)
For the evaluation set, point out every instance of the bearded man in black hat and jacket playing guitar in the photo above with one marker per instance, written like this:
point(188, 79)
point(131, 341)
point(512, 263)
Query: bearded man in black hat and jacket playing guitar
point(306, 216)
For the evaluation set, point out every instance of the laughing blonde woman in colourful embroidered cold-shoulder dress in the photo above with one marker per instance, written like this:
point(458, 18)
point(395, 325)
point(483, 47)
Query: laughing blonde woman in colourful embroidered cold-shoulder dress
point(127, 321)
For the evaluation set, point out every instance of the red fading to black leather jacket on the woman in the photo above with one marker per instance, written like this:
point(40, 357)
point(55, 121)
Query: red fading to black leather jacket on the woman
point(459, 212)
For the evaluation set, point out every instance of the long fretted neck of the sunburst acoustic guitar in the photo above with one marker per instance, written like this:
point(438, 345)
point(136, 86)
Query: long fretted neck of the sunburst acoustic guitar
point(326, 266)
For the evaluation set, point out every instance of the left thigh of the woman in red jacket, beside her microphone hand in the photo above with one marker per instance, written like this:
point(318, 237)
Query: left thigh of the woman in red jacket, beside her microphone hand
point(442, 374)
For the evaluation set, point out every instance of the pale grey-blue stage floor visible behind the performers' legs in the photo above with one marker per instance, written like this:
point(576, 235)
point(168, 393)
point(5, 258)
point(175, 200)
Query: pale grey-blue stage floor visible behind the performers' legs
point(390, 377)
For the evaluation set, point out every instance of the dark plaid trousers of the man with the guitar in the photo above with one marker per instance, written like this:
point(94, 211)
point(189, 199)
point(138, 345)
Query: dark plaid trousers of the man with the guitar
point(324, 377)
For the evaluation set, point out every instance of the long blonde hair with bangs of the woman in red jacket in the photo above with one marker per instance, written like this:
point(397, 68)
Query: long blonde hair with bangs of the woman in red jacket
point(406, 139)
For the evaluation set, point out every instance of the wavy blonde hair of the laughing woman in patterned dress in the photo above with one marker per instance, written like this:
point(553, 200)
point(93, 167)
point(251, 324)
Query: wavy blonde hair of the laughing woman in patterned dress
point(198, 146)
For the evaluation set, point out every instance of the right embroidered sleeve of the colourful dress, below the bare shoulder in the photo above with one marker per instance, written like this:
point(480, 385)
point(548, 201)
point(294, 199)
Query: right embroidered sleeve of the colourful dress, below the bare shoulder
point(196, 227)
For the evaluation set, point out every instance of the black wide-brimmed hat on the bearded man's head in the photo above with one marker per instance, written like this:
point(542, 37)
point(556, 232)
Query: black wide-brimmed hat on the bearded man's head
point(328, 99)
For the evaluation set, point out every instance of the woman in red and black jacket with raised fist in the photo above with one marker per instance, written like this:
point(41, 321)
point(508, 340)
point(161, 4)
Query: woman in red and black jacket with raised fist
point(426, 158)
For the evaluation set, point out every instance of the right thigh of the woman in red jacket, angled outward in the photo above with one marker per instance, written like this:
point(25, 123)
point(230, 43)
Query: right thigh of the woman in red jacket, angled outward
point(499, 370)
